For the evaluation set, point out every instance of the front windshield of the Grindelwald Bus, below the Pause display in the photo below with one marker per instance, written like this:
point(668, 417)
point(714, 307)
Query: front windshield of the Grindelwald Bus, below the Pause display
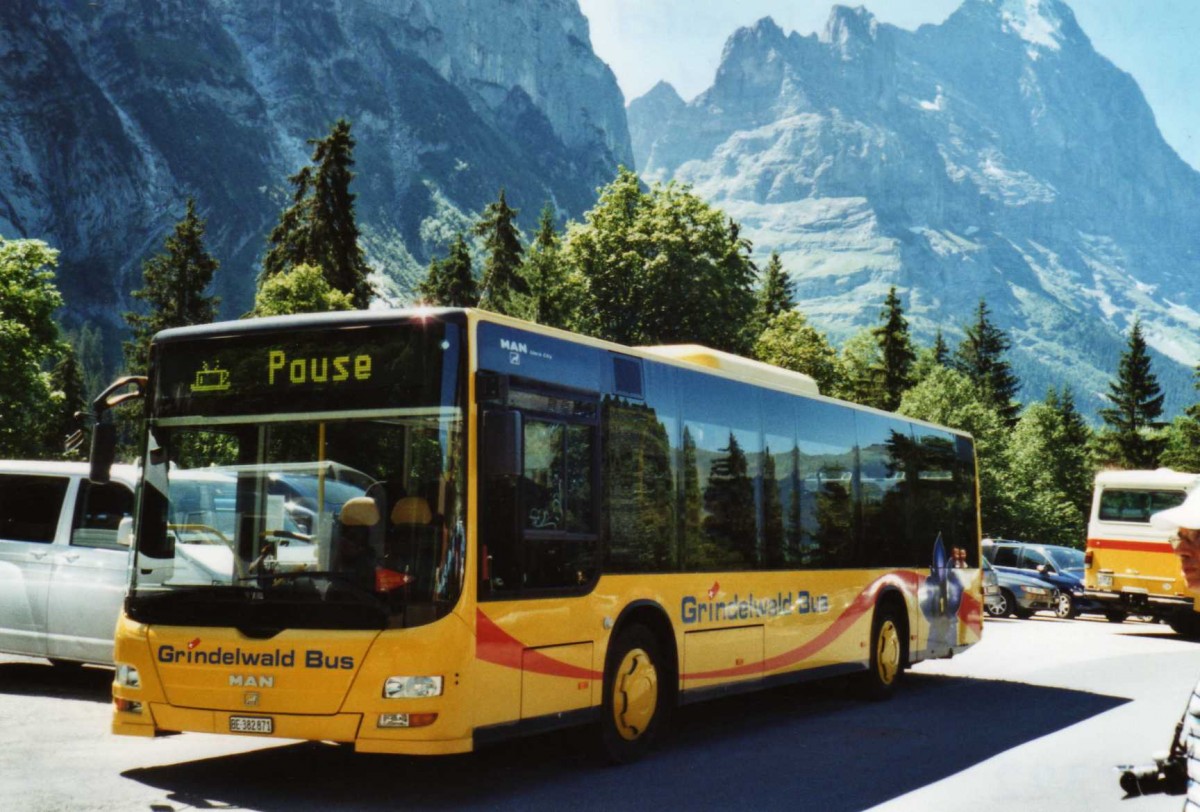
point(332, 520)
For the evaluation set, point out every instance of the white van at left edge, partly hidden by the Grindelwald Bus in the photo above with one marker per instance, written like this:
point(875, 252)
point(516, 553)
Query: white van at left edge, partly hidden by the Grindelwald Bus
point(64, 560)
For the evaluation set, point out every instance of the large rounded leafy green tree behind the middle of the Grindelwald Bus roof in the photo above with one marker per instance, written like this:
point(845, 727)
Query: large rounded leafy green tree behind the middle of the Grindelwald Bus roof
point(662, 267)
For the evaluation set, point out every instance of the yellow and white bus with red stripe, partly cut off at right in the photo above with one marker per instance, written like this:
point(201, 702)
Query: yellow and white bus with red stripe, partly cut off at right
point(1130, 566)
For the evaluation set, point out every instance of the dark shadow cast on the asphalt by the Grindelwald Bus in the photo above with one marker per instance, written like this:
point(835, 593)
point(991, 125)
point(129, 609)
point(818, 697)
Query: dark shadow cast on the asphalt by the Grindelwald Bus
point(805, 747)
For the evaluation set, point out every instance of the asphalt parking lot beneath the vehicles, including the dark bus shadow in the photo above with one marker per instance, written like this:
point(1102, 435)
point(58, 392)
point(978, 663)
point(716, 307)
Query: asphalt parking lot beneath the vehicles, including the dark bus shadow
point(1036, 718)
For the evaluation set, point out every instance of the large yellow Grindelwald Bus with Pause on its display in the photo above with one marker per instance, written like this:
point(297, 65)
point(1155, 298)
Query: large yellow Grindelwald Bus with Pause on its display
point(434, 530)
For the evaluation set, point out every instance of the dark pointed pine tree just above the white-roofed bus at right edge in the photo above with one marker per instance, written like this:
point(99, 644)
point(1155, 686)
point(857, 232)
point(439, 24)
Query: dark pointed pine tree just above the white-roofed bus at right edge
point(1137, 405)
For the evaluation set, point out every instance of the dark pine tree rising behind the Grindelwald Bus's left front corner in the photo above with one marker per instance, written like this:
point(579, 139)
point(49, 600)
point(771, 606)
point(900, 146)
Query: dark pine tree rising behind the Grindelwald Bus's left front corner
point(175, 285)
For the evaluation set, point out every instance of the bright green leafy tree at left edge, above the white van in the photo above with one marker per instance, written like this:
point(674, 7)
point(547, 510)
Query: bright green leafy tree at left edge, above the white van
point(29, 340)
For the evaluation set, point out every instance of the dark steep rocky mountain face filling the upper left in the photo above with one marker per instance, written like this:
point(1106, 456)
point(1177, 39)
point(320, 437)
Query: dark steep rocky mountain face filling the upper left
point(113, 113)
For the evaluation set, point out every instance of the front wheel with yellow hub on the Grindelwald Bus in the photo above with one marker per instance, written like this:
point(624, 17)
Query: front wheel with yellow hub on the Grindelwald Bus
point(635, 703)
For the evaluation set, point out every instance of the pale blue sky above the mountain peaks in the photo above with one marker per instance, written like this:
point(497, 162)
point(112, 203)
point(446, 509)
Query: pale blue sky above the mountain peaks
point(681, 41)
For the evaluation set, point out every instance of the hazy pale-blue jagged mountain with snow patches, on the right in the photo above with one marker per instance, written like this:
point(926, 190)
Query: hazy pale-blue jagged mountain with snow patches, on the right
point(997, 155)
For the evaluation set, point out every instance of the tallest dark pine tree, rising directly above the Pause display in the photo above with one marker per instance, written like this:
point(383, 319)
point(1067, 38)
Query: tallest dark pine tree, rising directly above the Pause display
point(320, 227)
